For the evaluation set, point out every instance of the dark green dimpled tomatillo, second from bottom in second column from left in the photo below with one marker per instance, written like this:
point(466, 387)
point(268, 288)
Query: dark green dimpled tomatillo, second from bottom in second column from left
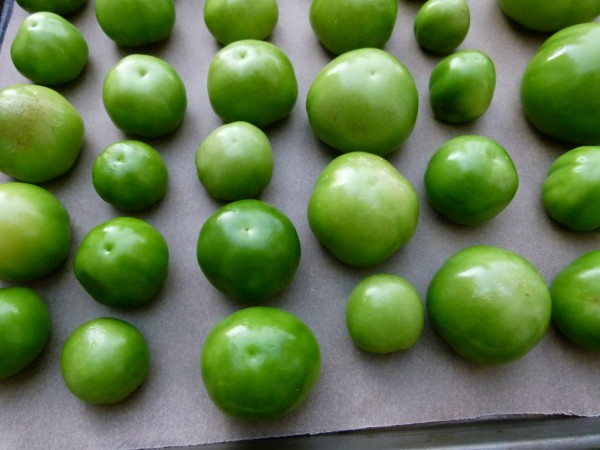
point(122, 263)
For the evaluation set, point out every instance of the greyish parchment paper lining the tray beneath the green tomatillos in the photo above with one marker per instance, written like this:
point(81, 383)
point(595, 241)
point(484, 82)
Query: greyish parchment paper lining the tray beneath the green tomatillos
point(427, 383)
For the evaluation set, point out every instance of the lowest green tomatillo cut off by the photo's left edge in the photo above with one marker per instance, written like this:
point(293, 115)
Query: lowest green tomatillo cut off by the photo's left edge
point(24, 329)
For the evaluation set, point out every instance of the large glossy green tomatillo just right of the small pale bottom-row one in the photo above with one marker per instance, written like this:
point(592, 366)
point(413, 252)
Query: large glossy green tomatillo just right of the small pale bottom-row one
point(489, 304)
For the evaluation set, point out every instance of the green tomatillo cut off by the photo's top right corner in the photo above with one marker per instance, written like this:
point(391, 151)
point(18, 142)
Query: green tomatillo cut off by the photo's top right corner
point(549, 16)
